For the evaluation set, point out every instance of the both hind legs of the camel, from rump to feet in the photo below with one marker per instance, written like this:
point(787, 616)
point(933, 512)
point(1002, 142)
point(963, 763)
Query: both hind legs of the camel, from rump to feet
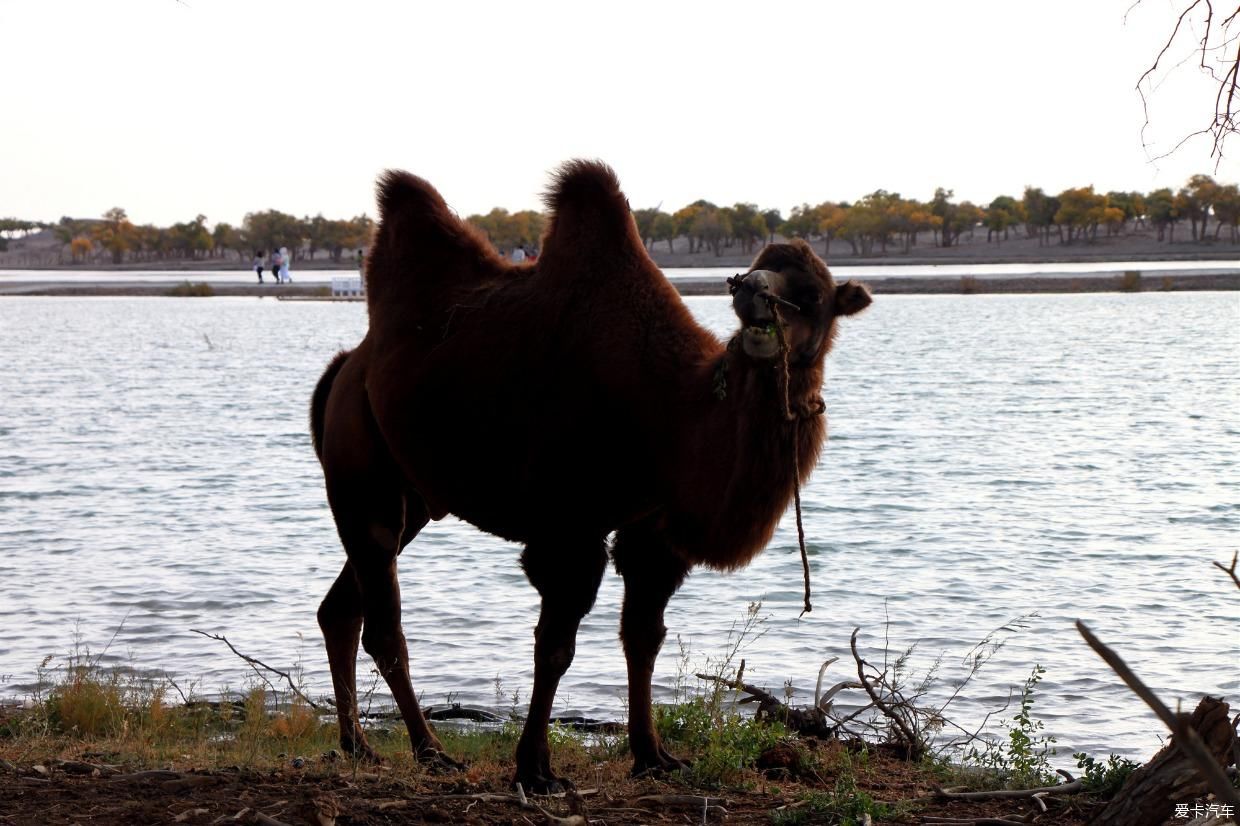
point(376, 517)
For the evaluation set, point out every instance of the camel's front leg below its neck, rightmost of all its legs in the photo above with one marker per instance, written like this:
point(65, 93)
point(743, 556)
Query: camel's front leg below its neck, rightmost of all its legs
point(652, 574)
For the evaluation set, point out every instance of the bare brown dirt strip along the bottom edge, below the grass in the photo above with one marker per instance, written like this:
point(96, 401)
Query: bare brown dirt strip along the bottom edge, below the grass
point(318, 793)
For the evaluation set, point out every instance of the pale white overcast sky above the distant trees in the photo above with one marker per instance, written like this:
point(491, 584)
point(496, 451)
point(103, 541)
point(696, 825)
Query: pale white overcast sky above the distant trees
point(174, 109)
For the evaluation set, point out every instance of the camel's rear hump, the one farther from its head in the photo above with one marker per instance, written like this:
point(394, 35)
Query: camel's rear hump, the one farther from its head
point(421, 242)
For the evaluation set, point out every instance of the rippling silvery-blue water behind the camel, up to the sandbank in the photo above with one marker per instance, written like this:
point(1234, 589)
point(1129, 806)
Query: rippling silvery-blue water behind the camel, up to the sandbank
point(1073, 456)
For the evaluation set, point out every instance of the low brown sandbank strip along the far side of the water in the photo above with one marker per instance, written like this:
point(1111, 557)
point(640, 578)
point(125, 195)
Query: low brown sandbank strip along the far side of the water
point(1148, 282)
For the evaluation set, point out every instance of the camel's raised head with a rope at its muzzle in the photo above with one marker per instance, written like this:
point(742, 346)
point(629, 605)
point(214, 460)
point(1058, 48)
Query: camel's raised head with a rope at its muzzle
point(790, 283)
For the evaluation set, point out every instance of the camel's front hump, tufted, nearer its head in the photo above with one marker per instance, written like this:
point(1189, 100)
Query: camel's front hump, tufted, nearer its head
point(590, 214)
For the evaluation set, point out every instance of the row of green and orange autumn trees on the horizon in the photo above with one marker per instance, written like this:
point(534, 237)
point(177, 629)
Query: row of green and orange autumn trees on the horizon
point(872, 225)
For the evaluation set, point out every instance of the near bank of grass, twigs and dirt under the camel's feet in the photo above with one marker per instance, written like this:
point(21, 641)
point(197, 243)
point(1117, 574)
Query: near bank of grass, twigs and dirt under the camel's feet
point(122, 747)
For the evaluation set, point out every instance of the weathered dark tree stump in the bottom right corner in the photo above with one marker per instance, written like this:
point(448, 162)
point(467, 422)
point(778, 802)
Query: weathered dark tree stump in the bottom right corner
point(1151, 794)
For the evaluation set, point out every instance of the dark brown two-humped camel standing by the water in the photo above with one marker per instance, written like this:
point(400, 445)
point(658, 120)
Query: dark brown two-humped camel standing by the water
point(572, 406)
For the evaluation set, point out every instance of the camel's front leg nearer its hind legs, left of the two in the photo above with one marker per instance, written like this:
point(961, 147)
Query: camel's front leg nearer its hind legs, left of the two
point(567, 580)
